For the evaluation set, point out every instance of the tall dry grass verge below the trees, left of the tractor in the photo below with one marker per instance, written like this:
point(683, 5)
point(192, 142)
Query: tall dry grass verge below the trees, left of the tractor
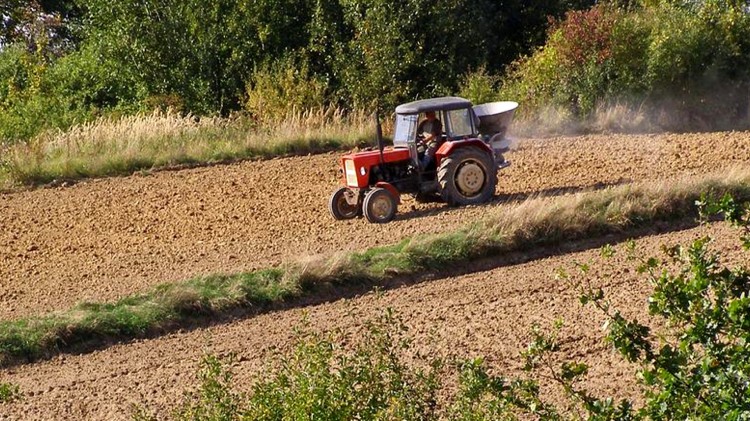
point(114, 146)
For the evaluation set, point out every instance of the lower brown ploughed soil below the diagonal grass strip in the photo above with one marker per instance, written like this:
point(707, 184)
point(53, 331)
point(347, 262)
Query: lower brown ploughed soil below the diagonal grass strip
point(483, 314)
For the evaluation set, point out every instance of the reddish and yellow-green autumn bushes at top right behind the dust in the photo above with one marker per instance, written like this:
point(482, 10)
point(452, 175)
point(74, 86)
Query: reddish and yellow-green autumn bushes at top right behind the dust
point(683, 65)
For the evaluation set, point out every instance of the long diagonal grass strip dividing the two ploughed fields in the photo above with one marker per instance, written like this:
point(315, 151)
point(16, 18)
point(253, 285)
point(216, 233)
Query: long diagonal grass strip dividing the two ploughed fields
point(534, 222)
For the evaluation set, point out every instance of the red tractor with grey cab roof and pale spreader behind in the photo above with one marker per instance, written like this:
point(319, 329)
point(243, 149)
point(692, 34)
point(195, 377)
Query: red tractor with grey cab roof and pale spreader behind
point(462, 172)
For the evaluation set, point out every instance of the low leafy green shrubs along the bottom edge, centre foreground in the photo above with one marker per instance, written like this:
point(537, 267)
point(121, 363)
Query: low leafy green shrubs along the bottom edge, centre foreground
point(371, 380)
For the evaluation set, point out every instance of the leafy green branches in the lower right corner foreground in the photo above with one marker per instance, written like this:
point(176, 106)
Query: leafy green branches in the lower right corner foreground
point(697, 368)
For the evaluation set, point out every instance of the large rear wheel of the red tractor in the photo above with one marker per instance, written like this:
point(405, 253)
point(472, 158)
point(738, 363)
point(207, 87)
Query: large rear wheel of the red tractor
point(467, 177)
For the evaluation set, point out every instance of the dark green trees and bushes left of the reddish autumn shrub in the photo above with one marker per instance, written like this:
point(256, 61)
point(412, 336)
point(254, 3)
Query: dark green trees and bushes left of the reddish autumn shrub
point(68, 61)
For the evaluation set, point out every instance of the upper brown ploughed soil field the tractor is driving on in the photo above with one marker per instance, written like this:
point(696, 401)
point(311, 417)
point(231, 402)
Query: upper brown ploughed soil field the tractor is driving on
point(104, 239)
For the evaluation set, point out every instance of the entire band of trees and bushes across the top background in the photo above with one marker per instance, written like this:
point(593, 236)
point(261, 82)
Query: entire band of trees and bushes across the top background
point(679, 64)
